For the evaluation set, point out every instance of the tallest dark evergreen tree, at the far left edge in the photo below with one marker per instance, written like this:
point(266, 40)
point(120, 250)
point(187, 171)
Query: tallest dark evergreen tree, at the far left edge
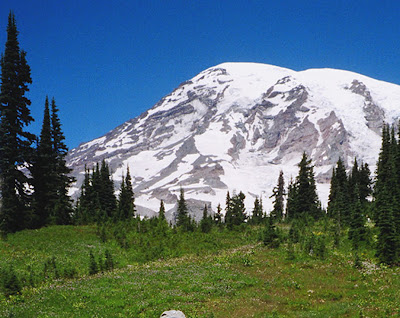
point(15, 142)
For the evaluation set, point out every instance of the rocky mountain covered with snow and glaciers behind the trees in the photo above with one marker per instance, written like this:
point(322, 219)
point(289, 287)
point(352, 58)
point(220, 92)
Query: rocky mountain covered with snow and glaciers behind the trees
point(236, 125)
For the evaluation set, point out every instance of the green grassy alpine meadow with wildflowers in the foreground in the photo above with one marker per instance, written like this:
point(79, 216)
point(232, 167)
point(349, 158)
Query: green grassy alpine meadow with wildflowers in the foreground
point(237, 279)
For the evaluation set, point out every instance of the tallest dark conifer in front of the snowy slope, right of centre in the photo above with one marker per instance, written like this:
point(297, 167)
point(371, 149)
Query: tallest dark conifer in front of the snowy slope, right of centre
point(302, 194)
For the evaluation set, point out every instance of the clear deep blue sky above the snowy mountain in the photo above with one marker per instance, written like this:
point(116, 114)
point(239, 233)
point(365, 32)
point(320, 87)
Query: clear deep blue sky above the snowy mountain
point(108, 61)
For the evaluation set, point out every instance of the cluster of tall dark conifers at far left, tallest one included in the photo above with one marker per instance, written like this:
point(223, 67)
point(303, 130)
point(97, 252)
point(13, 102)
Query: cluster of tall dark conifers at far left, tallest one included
point(34, 177)
